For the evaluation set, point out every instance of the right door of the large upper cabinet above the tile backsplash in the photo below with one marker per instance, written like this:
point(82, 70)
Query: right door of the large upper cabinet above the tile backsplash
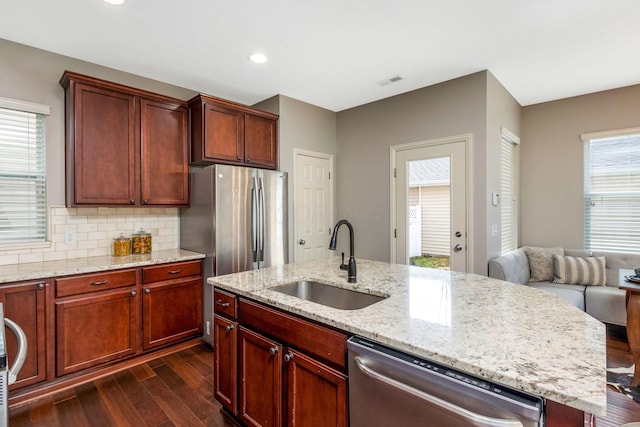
point(164, 153)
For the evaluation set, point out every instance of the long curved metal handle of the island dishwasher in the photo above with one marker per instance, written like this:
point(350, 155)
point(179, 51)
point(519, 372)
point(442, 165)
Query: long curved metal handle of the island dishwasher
point(472, 417)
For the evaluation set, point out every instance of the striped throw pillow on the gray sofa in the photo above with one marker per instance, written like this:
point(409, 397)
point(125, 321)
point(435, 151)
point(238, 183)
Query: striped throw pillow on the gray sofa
point(579, 271)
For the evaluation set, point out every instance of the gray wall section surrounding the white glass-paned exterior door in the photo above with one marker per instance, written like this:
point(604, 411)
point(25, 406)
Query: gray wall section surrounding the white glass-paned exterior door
point(365, 134)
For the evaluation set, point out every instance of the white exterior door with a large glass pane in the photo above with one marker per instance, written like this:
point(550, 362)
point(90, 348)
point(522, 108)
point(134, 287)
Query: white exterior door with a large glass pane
point(430, 204)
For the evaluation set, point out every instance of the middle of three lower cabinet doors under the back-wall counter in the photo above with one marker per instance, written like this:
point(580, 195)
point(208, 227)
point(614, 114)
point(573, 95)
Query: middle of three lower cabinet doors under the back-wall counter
point(94, 329)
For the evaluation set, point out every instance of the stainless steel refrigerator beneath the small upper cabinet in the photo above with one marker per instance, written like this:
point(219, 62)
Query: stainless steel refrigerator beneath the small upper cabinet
point(238, 218)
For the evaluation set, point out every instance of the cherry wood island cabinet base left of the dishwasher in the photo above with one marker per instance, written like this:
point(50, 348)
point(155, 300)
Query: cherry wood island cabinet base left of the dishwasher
point(275, 369)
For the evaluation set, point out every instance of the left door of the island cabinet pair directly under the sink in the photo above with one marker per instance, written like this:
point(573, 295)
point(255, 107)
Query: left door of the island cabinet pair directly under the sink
point(260, 382)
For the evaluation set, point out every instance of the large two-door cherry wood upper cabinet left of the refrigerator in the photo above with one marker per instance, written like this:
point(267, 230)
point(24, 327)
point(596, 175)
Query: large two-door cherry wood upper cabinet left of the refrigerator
point(124, 146)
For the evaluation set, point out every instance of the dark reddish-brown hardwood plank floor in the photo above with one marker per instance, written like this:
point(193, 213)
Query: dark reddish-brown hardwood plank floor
point(177, 390)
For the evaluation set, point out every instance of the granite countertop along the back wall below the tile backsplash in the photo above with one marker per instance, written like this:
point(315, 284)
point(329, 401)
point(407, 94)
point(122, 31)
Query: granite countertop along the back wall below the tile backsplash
point(43, 270)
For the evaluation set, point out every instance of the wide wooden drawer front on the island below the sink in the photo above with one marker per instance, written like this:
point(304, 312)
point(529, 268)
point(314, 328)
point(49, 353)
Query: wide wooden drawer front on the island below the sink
point(319, 341)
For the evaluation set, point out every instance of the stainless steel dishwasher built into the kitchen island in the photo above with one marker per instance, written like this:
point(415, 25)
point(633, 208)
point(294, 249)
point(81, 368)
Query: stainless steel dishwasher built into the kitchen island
point(391, 388)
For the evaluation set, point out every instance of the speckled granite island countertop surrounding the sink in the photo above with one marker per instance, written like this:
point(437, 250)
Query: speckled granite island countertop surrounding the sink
point(514, 335)
